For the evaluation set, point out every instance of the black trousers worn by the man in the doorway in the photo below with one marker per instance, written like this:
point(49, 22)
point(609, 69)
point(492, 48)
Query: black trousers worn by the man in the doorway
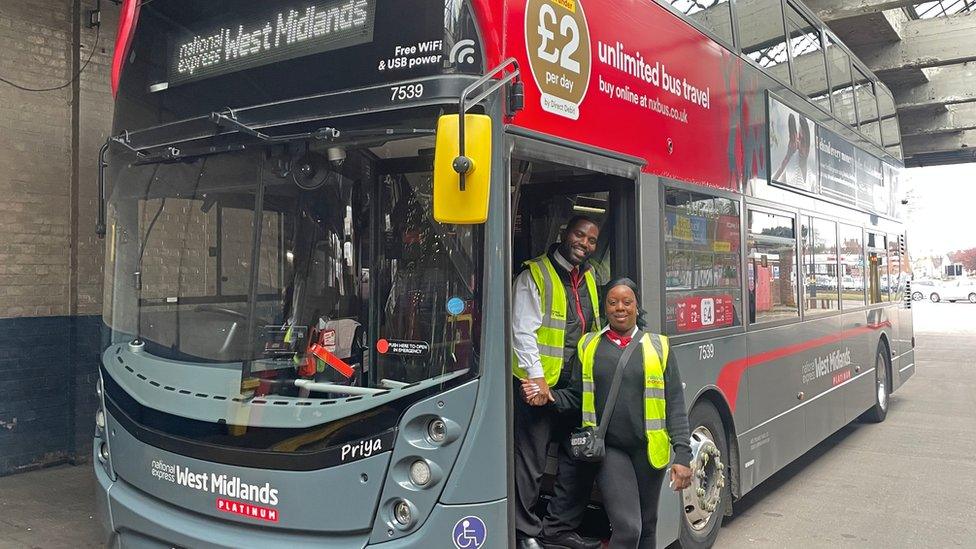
point(535, 427)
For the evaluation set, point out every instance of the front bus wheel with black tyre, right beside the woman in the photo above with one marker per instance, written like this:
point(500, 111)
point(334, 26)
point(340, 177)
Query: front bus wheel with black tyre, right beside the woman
point(704, 502)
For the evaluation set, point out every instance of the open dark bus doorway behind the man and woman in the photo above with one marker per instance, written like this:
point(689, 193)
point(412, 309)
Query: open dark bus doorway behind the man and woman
point(551, 184)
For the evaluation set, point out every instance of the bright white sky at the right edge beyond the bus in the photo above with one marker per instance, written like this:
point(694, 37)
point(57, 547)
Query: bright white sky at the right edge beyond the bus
point(941, 212)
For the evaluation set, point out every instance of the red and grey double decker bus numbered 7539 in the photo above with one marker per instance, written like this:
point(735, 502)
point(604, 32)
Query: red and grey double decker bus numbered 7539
point(314, 210)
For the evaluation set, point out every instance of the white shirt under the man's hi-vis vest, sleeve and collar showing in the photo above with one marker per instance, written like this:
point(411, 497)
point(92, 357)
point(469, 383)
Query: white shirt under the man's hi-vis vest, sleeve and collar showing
point(527, 318)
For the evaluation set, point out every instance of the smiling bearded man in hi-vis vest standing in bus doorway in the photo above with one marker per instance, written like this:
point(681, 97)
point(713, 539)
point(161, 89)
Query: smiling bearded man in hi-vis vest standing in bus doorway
point(554, 303)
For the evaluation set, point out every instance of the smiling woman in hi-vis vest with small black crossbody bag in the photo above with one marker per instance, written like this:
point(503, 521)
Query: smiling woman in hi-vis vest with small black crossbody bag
point(647, 421)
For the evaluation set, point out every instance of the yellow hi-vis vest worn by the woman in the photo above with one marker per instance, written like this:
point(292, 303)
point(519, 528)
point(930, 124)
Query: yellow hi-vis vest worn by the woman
point(655, 350)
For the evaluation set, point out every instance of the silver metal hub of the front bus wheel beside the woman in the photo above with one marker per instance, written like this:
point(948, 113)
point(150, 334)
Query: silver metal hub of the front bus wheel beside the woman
point(701, 499)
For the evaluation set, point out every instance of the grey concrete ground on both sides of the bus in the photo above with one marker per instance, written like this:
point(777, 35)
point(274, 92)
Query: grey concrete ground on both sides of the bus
point(866, 486)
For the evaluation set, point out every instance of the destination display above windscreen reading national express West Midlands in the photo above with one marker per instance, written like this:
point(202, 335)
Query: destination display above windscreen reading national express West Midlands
point(243, 42)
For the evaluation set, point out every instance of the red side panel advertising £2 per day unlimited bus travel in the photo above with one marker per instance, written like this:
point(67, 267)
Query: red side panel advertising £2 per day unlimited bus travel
point(627, 76)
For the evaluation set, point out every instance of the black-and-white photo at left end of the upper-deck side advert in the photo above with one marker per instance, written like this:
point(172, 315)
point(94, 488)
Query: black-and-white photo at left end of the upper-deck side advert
point(792, 148)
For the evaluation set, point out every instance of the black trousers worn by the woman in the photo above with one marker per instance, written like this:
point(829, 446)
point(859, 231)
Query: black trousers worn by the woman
point(626, 478)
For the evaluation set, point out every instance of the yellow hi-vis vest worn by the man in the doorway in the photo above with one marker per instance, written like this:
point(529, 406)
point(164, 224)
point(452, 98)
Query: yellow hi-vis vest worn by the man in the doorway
point(551, 335)
